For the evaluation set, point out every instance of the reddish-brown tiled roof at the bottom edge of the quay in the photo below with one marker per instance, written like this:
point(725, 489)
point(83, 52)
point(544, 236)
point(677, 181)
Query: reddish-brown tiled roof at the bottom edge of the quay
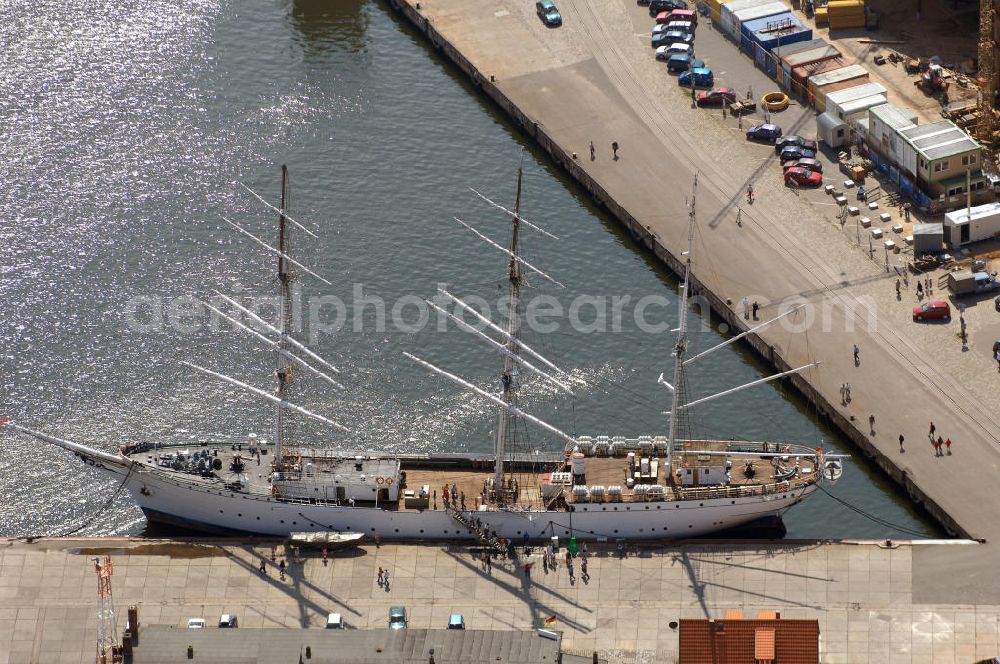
point(735, 641)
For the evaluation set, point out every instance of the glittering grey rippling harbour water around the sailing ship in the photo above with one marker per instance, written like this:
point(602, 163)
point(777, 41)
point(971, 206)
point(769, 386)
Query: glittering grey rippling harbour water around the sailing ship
point(124, 130)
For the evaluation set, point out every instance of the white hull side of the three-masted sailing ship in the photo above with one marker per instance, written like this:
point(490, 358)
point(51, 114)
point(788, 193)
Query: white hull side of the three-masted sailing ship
point(180, 503)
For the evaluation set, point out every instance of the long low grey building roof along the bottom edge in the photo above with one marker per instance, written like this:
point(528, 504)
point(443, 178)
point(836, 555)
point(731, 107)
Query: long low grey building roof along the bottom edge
point(160, 644)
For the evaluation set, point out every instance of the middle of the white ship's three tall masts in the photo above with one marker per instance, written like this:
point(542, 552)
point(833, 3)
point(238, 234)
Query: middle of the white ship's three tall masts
point(508, 390)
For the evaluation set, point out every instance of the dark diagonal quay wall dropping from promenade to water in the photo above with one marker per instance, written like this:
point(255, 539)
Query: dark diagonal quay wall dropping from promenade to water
point(644, 235)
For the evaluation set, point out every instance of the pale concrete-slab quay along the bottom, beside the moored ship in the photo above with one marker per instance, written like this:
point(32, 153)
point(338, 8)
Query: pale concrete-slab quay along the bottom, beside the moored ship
point(862, 595)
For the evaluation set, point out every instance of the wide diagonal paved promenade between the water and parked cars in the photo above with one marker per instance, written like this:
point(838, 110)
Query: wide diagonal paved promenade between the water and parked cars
point(595, 79)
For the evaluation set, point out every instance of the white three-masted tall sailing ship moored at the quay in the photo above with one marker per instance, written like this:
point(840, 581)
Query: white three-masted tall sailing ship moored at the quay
point(650, 487)
